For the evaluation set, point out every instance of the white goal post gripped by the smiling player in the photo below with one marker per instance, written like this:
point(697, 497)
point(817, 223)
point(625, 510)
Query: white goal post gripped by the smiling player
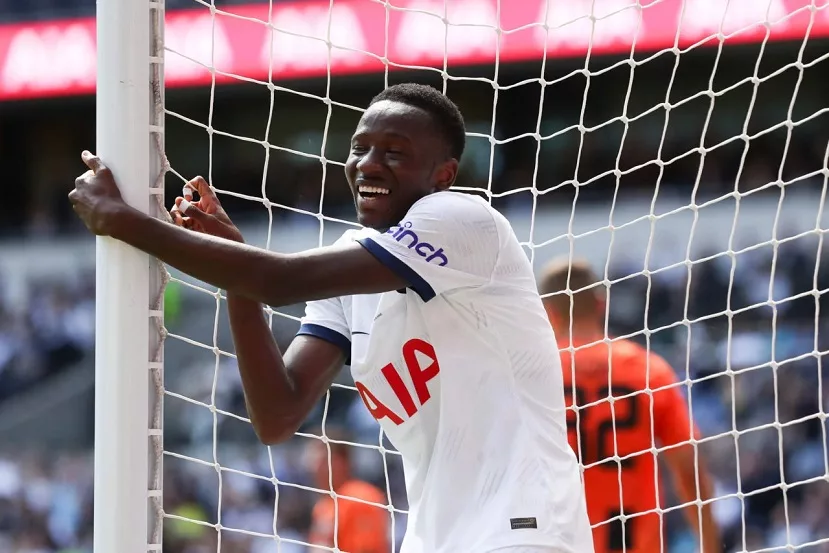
point(127, 484)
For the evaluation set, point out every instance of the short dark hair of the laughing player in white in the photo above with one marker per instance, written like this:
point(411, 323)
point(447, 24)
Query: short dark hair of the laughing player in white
point(444, 112)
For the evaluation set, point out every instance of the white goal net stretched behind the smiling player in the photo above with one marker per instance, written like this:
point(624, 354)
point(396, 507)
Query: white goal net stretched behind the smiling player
point(679, 146)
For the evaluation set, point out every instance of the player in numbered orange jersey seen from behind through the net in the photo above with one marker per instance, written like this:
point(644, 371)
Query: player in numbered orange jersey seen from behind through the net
point(615, 440)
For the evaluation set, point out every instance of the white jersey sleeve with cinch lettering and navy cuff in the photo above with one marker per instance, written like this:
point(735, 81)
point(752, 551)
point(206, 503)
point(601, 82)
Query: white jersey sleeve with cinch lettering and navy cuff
point(446, 241)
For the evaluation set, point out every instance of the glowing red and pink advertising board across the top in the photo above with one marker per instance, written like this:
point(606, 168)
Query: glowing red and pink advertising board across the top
point(58, 57)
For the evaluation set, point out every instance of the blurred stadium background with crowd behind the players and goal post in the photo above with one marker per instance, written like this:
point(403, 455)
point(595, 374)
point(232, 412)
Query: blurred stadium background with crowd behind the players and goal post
point(679, 146)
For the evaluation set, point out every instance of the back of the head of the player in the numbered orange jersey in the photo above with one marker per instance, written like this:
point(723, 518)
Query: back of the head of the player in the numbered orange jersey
point(583, 305)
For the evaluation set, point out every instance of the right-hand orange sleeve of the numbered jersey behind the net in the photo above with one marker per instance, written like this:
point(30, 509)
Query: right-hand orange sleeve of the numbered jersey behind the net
point(672, 422)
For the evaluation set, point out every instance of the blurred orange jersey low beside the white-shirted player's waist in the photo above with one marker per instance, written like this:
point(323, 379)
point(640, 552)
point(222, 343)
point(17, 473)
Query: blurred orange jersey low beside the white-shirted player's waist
point(361, 528)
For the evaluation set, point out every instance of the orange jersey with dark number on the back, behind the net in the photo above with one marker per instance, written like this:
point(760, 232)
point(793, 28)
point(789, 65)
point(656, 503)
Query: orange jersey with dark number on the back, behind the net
point(629, 426)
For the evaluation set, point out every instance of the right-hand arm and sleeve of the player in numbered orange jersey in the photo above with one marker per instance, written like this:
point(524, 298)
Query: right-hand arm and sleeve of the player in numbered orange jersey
point(675, 430)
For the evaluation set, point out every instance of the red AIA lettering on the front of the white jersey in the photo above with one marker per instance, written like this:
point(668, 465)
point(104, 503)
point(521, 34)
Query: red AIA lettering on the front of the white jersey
point(420, 373)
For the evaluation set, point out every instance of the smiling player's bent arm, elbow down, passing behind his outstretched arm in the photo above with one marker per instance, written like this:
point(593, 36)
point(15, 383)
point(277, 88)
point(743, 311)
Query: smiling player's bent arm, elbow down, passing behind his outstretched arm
point(280, 390)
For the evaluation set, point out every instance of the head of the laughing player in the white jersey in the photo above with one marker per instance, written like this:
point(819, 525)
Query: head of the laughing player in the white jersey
point(407, 145)
